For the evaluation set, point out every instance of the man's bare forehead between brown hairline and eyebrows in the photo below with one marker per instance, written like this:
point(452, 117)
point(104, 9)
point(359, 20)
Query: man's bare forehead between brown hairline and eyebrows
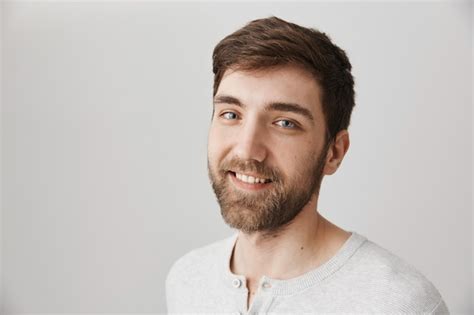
point(283, 84)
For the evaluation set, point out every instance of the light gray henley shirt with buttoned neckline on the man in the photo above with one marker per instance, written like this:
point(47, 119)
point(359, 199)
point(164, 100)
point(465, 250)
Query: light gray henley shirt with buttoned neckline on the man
point(361, 277)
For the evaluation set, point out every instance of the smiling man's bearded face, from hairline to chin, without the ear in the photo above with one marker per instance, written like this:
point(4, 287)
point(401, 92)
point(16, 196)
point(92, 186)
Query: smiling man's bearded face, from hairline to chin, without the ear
point(266, 152)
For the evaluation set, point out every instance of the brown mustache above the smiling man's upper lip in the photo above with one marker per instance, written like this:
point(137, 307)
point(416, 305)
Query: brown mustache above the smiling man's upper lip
point(251, 166)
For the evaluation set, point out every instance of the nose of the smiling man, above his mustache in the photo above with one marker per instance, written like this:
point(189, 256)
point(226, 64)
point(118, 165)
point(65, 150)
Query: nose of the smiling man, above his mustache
point(250, 142)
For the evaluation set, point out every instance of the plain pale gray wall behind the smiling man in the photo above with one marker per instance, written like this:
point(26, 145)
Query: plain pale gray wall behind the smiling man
point(105, 112)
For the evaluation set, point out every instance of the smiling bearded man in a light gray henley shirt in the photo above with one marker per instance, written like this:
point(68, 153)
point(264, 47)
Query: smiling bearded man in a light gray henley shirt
point(283, 97)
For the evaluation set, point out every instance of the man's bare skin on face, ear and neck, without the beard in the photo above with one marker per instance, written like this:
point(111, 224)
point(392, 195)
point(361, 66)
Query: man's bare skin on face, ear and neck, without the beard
point(309, 239)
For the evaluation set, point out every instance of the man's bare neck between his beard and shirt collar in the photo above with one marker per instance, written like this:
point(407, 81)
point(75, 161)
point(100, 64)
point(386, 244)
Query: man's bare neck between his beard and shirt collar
point(307, 242)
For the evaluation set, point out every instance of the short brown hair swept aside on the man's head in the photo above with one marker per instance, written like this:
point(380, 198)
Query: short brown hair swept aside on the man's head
point(272, 42)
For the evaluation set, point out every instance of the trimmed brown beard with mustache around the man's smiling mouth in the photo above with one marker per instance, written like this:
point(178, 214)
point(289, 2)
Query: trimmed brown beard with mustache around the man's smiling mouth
point(272, 208)
